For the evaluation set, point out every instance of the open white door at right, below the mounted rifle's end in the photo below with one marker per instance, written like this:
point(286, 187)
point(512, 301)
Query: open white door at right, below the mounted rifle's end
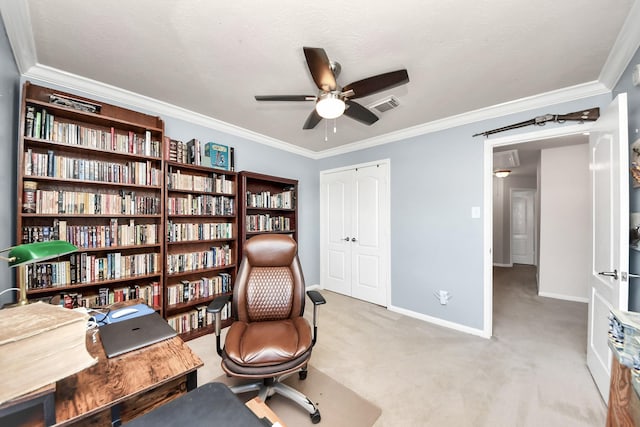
point(609, 287)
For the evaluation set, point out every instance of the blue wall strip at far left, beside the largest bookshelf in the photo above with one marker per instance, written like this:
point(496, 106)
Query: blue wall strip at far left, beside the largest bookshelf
point(9, 101)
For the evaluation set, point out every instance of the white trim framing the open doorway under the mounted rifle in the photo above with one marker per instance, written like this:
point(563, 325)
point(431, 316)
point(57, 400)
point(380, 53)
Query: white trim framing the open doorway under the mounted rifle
point(489, 144)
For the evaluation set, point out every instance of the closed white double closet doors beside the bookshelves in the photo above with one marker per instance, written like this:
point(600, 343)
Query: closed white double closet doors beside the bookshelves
point(354, 229)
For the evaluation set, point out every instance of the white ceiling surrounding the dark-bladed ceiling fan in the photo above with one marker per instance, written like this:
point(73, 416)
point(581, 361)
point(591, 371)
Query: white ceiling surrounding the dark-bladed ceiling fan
point(467, 60)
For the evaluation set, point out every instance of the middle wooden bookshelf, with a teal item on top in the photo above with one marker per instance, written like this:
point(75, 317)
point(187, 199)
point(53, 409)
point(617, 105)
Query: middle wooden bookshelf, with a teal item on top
point(201, 244)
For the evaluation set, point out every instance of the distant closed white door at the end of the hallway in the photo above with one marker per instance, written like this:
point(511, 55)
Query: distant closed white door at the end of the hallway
point(523, 227)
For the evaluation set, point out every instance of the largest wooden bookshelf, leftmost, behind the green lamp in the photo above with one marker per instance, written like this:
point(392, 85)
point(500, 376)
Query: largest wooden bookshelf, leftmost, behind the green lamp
point(92, 174)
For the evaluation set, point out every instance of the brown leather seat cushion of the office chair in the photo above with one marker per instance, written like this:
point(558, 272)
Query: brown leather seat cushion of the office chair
point(267, 343)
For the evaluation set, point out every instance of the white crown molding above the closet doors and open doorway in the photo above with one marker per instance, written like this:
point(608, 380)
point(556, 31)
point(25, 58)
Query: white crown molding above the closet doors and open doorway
point(555, 97)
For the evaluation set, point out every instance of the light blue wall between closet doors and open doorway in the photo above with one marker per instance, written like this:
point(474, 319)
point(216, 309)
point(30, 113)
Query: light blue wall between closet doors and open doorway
point(435, 244)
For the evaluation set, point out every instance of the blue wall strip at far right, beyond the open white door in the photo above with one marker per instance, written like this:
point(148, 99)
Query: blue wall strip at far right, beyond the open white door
point(633, 98)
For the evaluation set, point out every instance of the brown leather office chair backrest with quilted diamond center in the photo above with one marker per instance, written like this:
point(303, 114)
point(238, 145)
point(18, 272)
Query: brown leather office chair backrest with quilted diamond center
point(270, 284)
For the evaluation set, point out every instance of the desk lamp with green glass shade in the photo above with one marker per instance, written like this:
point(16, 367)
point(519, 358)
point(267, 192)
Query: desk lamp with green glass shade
point(35, 252)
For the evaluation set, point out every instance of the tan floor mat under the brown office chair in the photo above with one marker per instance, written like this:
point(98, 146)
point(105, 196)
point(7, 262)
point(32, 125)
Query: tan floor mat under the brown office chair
point(338, 405)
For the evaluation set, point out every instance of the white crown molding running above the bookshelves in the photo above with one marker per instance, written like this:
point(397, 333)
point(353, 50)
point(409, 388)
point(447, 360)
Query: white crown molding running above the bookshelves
point(93, 88)
